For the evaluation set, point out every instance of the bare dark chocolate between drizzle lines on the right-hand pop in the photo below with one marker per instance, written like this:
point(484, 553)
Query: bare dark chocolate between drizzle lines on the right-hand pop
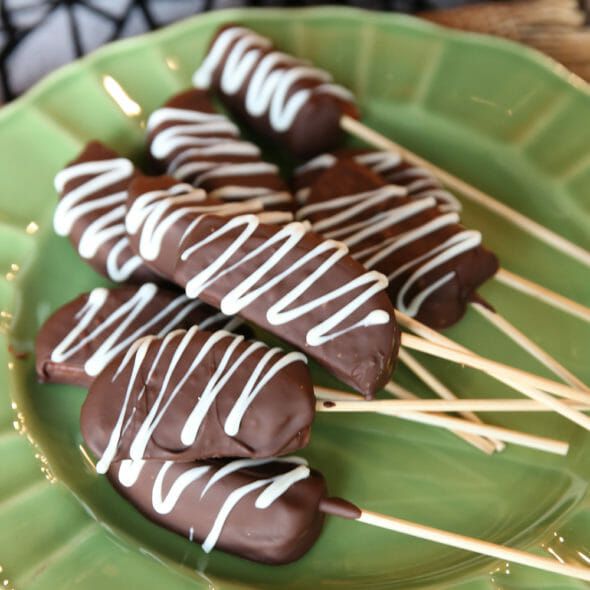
point(468, 270)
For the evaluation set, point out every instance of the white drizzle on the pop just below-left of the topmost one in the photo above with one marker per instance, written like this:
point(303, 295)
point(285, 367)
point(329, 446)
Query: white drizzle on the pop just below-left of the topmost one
point(200, 136)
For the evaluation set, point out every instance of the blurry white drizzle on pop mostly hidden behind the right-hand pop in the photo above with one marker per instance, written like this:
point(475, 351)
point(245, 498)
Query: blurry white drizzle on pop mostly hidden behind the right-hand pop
point(419, 182)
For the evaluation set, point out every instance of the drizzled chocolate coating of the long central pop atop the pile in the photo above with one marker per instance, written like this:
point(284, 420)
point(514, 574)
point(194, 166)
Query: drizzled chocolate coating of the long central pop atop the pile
point(361, 346)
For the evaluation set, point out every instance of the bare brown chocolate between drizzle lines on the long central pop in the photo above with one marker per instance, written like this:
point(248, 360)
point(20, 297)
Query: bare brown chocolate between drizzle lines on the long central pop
point(363, 357)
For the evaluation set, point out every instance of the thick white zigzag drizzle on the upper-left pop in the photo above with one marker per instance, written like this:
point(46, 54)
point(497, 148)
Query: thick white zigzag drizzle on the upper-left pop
point(109, 225)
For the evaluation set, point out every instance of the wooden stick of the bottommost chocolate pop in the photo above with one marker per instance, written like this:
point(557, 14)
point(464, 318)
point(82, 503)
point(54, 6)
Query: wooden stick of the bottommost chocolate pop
point(471, 544)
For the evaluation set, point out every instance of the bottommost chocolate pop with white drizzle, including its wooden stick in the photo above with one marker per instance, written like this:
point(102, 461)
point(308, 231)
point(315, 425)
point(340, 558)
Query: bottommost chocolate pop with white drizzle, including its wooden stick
point(272, 510)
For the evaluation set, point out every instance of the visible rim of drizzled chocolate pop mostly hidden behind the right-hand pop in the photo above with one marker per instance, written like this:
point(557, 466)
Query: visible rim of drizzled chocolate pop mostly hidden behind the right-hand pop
point(419, 182)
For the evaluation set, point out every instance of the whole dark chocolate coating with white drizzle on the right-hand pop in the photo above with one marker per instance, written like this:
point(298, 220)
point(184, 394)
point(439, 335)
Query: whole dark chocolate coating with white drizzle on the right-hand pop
point(414, 265)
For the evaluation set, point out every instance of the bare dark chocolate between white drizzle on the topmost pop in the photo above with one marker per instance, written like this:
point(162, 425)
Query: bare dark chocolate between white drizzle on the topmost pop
point(316, 127)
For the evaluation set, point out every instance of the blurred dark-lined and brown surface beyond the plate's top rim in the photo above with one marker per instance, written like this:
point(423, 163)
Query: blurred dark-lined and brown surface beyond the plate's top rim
point(37, 36)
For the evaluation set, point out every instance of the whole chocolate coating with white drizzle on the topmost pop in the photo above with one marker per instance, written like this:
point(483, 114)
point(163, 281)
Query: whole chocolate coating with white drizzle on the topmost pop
point(315, 128)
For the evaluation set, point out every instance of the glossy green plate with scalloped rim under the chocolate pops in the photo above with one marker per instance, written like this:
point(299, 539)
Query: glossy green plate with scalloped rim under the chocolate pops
point(498, 115)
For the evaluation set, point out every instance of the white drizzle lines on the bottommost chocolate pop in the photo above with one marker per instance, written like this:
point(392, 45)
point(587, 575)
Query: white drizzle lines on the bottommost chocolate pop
point(271, 488)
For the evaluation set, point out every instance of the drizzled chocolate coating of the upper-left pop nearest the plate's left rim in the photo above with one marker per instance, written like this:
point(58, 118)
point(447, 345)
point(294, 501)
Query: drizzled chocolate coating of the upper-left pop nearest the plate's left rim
point(113, 258)
